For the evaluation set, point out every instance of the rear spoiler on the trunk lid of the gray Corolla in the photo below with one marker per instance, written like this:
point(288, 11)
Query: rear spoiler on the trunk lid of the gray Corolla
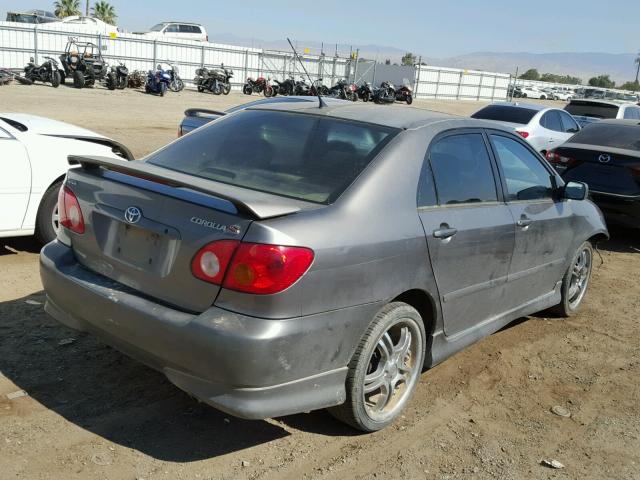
point(258, 205)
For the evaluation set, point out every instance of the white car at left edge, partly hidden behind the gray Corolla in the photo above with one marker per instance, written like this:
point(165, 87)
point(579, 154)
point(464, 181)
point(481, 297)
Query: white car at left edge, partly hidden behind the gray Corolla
point(33, 152)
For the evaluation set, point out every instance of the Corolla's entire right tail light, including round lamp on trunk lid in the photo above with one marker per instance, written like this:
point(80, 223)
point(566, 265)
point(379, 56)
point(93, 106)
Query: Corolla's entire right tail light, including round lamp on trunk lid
point(251, 267)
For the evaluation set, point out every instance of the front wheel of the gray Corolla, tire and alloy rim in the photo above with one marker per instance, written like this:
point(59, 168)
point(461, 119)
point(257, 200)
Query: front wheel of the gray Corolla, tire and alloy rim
point(575, 281)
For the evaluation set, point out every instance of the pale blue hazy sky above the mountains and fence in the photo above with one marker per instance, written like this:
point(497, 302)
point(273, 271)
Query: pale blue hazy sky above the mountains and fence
point(432, 28)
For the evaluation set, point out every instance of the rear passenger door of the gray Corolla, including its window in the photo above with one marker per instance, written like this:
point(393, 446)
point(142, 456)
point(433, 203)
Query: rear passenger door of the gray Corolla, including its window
point(469, 230)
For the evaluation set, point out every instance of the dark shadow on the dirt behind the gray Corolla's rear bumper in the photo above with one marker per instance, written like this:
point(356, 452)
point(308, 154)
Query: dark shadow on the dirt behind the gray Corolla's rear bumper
point(105, 392)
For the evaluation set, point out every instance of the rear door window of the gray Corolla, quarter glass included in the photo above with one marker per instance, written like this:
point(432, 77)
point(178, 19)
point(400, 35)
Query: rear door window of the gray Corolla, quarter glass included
point(462, 170)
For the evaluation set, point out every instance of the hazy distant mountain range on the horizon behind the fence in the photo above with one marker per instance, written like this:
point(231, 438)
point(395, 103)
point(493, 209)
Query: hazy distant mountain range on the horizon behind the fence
point(620, 66)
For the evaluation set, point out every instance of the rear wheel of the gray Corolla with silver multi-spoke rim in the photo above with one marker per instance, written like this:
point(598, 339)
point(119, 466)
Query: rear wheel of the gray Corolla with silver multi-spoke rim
point(384, 370)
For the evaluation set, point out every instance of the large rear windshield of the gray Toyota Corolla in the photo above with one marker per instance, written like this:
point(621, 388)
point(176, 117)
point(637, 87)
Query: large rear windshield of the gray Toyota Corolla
point(301, 156)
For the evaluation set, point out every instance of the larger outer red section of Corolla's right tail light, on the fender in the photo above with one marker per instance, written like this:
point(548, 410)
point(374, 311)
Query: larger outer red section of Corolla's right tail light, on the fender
point(266, 269)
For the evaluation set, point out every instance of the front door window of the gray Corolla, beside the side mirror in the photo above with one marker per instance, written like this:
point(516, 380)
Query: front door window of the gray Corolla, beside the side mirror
point(525, 175)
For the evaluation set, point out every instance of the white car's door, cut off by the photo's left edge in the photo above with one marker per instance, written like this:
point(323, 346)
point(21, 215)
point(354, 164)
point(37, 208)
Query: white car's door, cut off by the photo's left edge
point(15, 182)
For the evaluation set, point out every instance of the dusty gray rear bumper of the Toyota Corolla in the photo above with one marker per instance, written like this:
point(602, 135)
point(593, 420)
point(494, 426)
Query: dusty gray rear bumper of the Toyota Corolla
point(249, 367)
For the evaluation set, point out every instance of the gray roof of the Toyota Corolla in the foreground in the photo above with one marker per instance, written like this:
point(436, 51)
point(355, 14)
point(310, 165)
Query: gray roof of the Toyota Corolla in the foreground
point(402, 117)
